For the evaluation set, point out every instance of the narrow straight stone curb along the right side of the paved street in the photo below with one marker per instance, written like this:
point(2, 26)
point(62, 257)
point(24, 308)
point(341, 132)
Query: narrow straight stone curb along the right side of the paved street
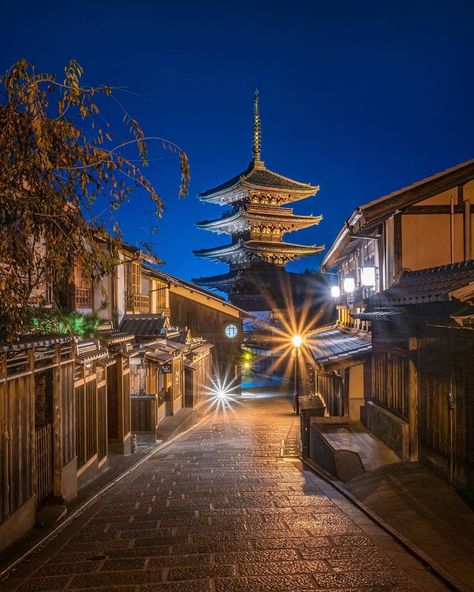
point(432, 564)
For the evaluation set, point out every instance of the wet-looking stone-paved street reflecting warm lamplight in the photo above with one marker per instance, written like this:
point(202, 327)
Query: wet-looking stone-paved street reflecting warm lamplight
point(221, 510)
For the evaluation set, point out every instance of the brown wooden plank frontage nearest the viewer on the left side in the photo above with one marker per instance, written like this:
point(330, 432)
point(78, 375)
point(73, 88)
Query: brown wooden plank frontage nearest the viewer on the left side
point(37, 431)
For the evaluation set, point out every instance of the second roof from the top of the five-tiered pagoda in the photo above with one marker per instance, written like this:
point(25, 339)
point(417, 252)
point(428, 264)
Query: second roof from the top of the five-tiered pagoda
point(276, 216)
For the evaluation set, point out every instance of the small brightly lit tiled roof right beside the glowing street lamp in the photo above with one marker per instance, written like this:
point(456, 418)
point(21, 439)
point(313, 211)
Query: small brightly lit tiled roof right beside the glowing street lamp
point(334, 344)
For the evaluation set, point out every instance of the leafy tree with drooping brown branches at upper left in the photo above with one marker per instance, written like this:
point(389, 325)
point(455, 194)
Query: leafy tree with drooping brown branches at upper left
point(60, 163)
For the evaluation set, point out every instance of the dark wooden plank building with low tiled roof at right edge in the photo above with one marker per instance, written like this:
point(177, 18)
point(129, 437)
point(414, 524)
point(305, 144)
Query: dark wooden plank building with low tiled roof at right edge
point(422, 369)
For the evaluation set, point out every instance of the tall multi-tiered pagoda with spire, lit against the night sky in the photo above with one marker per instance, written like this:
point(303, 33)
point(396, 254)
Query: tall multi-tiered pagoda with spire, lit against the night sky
point(256, 222)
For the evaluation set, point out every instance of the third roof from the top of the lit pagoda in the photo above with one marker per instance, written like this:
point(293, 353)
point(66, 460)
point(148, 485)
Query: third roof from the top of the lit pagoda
point(242, 251)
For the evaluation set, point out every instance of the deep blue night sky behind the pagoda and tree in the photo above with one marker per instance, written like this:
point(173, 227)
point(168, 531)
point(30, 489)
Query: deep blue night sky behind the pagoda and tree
point(358, 97)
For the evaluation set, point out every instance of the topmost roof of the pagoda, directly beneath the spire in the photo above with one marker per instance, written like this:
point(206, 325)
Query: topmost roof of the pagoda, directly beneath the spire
point(257, 176)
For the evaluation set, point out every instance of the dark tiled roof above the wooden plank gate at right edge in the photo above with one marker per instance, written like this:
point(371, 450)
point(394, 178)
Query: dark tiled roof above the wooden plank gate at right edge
point(434, 284)
